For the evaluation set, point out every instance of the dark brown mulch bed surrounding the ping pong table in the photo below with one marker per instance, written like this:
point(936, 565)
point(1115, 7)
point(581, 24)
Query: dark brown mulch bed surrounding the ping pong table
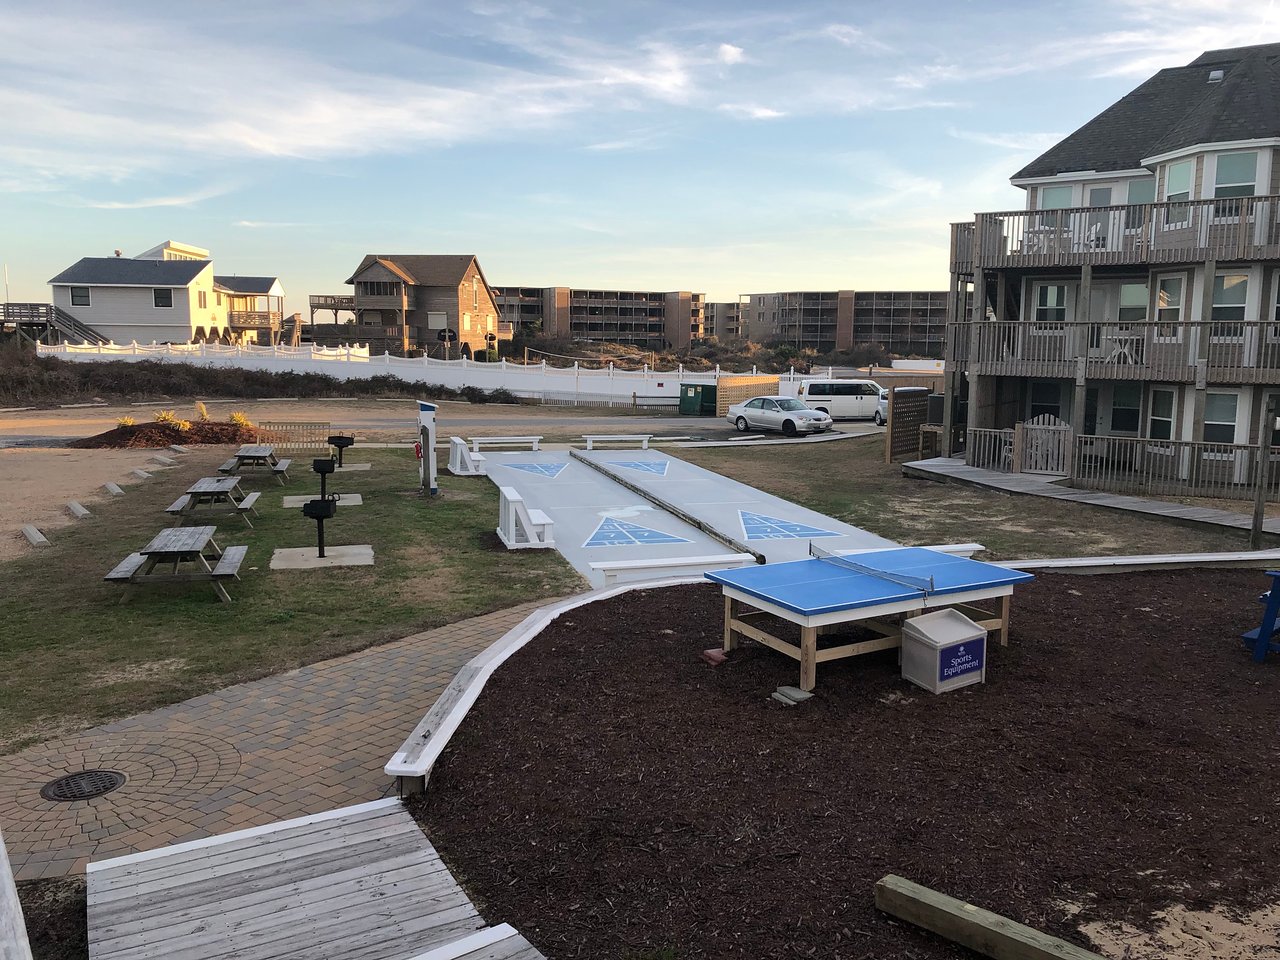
point(615, 797)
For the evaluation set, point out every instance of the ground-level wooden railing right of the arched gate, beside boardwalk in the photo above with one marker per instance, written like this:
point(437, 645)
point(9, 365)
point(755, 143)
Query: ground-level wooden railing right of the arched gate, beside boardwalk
point(1171, 468)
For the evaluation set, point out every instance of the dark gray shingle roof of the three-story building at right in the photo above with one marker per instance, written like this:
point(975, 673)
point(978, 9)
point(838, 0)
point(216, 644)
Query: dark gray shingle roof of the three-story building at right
point(1177, 108)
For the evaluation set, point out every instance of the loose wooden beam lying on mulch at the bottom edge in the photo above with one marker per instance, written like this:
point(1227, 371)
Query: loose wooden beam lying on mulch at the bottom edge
point(971, 926)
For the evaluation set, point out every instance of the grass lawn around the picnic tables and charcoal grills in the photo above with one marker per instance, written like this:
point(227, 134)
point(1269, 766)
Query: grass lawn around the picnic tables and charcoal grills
point(74, 657)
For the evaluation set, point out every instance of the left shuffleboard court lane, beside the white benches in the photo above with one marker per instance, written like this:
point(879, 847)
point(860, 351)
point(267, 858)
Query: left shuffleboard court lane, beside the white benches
point(597, 520)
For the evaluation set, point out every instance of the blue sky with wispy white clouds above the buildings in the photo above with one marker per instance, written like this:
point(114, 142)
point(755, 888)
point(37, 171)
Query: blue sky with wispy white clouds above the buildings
point(726, 148)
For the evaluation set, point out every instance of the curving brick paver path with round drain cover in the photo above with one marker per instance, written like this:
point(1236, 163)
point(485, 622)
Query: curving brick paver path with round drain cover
point(290, 746)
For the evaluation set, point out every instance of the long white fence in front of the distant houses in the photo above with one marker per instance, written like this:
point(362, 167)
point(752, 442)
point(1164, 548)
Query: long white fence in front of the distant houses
point(536, 381)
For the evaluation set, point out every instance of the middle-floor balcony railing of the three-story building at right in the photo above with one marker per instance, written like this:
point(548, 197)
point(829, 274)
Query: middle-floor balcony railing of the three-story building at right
point(1238, 353)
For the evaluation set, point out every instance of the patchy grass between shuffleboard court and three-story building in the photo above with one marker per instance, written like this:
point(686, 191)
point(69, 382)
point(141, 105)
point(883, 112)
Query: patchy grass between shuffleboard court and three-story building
point(851, 481)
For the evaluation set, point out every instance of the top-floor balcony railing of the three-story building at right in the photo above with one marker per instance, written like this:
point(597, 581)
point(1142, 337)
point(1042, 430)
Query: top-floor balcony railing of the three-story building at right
point(1242, 228)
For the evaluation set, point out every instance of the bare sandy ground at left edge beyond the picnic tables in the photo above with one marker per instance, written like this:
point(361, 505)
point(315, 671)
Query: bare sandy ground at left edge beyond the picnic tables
point(36, 484)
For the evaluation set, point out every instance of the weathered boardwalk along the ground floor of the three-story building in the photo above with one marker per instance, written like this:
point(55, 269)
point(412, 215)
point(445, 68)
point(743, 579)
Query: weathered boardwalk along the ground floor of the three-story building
point(949, 469)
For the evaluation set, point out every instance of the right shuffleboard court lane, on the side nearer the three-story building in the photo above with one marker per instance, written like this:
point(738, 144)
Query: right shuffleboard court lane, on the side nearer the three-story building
point(770, 525)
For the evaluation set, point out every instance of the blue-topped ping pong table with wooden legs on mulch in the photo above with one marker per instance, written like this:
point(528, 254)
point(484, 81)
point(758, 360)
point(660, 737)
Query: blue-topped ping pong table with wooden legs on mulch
point(876, 589)
